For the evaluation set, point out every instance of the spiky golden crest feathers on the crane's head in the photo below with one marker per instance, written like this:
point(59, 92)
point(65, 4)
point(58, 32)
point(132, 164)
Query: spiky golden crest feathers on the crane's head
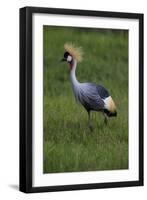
point(74, 51)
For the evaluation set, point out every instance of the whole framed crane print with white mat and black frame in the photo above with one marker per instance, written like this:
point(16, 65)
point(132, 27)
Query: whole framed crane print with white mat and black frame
point(81, 99)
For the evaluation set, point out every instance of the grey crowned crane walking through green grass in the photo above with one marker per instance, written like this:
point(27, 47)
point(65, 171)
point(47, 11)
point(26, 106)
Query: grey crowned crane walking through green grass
point(93, 97)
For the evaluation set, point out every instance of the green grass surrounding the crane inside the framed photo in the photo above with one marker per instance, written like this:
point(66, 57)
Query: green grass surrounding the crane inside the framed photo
point(68, 143)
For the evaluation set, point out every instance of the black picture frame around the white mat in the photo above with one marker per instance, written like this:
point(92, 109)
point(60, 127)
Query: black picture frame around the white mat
point(26, 72)
